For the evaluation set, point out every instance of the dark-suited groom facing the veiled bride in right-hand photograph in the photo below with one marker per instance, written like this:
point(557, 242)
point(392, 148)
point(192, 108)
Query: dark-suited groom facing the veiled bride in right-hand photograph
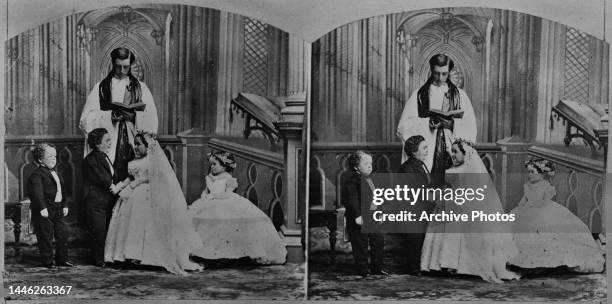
point(418, 176)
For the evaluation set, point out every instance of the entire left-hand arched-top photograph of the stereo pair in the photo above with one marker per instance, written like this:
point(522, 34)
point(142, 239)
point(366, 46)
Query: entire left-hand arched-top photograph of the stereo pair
point(154, 151)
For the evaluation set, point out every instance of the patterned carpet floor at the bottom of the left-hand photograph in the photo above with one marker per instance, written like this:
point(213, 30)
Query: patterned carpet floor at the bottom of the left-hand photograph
point(237, 280)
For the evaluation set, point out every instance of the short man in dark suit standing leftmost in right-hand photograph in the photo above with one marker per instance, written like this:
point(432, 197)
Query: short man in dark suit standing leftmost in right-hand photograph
point(361, 168)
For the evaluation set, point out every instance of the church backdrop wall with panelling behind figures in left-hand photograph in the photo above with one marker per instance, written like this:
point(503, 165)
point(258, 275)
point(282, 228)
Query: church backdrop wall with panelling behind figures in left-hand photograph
point(194, 60)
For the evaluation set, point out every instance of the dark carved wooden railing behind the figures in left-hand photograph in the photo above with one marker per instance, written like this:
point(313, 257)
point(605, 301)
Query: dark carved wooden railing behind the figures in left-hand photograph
point(260, 172)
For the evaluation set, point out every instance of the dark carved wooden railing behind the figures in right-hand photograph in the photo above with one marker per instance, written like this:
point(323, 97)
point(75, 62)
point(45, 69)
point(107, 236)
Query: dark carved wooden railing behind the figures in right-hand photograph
point(578, 181)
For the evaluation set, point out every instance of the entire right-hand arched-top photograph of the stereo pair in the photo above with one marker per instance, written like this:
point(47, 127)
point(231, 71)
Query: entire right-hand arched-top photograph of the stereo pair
point(451, 98)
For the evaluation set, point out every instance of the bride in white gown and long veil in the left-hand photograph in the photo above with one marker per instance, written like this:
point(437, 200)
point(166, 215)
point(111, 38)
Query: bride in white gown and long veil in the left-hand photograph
point(150, 224)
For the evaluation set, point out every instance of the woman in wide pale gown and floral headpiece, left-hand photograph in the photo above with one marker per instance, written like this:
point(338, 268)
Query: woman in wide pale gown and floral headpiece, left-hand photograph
point(229, 225)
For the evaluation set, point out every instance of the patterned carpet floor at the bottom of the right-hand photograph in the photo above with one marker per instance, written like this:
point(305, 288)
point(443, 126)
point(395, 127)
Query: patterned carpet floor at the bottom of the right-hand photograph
point(331, 277)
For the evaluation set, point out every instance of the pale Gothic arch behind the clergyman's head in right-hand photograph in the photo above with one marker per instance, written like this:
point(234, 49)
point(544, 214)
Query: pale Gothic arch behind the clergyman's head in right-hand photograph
point(459, 33)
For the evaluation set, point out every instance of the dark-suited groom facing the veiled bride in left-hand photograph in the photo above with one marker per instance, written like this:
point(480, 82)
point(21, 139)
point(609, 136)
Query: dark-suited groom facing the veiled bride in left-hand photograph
point(99, 176)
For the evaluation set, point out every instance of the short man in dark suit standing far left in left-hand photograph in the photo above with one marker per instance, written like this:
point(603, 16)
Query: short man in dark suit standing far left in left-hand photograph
point(47, 194)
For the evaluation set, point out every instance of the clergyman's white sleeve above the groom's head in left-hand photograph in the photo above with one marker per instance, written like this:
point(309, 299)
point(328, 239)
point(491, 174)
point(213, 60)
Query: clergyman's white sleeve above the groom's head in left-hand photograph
point(92, 117)
